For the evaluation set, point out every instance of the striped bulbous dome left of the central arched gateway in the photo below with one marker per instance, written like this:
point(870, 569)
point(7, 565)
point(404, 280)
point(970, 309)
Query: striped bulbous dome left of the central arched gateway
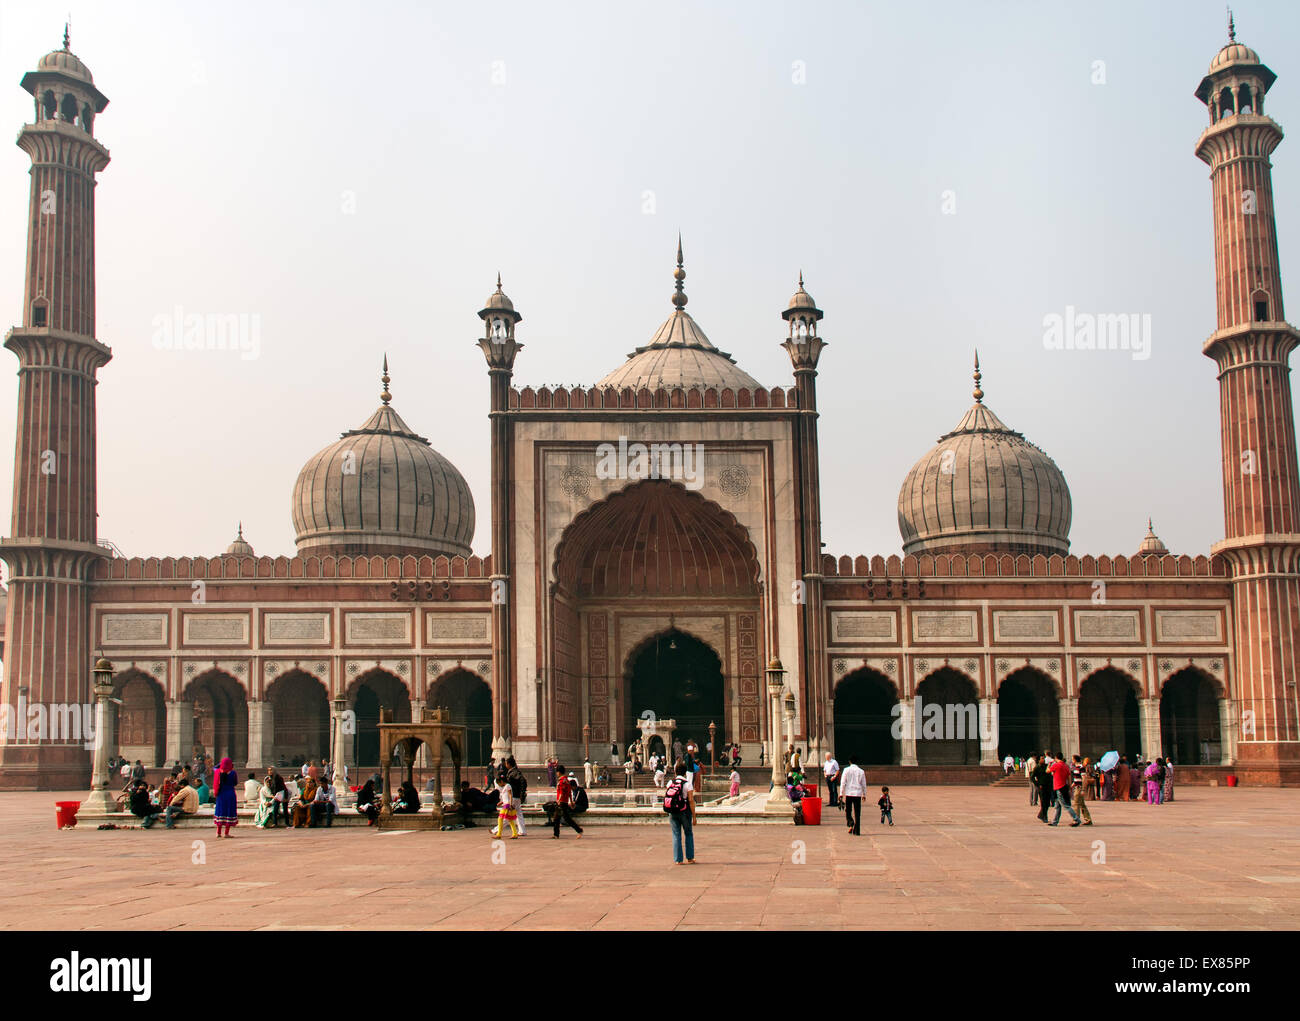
point(382, 488)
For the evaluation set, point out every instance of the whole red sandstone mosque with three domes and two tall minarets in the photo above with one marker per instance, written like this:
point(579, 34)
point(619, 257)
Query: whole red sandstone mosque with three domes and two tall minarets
point(656, 550)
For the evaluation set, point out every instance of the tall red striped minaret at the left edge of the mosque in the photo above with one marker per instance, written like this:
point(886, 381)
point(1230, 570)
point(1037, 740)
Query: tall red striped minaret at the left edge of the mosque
point(53, 539)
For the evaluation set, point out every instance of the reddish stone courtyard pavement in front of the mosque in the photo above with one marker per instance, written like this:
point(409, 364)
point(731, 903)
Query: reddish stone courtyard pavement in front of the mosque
point(959, 858)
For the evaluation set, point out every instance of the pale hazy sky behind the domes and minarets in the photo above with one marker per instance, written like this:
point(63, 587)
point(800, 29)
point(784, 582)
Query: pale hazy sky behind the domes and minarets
point(354, 176)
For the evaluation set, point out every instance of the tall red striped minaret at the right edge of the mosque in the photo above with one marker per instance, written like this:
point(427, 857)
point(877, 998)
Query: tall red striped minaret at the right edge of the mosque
point(1251, 348)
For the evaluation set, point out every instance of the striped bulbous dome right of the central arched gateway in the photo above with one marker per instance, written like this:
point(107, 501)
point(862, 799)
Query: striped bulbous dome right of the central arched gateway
point(985, 488)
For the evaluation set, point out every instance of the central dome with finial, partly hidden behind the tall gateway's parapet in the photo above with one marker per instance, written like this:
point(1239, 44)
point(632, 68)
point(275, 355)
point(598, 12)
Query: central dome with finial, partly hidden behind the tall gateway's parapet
point(681, 356)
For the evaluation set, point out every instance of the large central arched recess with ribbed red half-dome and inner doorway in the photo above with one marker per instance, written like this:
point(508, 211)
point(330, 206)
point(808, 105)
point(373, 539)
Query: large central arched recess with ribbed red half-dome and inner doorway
point(655, 544)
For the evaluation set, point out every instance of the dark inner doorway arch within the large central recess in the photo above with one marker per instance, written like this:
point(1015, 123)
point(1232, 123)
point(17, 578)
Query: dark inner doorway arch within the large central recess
point(677, 677)
